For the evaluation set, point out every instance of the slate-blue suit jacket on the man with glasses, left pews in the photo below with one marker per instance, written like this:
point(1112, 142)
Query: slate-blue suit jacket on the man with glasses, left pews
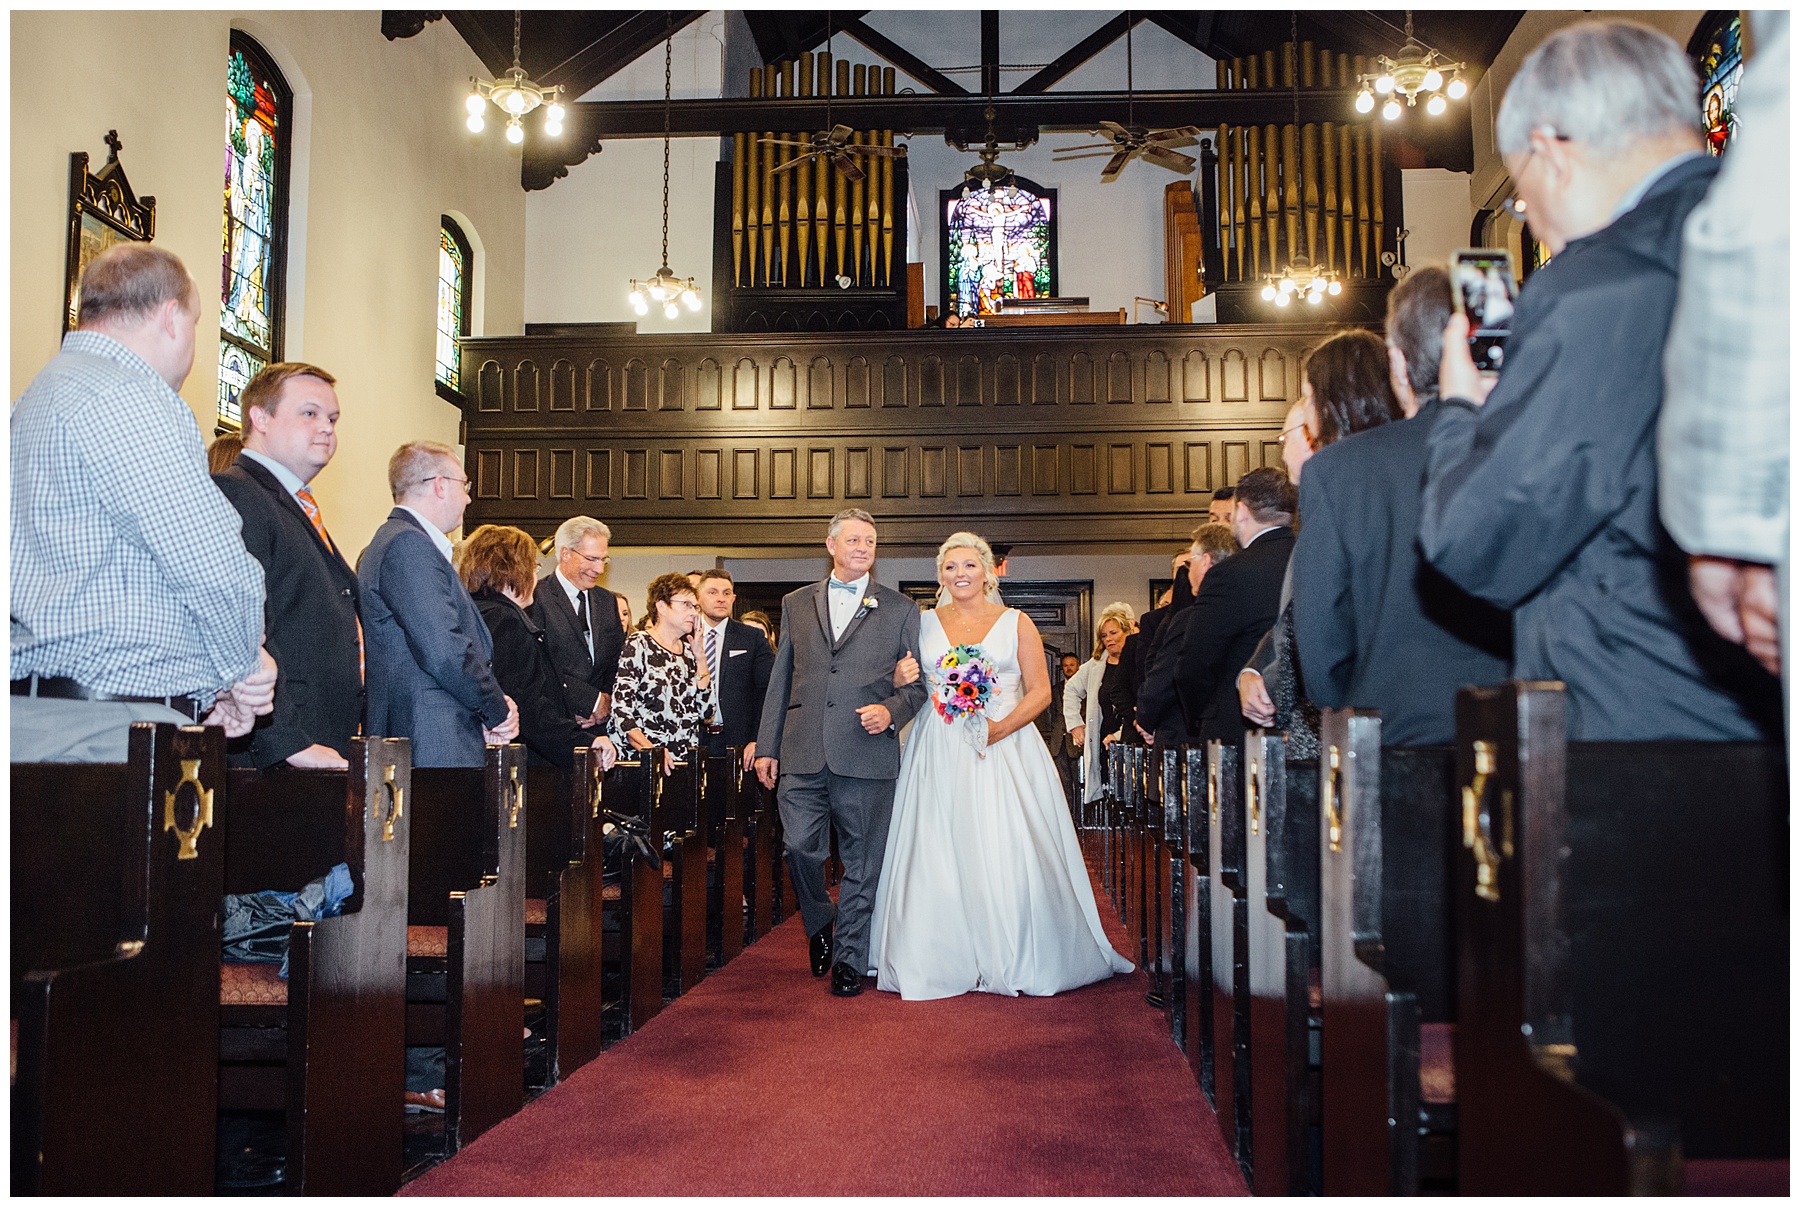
point(431, 672)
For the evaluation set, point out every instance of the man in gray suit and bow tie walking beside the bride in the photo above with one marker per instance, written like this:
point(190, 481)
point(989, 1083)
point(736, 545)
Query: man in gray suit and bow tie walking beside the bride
point(831, 737)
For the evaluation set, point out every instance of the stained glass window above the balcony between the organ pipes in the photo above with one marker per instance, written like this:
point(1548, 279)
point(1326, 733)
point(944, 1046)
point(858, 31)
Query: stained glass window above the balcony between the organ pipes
point(998, 244)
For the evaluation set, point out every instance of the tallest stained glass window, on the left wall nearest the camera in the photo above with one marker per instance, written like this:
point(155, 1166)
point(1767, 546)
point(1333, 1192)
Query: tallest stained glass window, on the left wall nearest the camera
point(256, 184)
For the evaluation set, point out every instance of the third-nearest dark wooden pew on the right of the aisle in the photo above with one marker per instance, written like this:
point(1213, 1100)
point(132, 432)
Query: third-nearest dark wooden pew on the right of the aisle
point(1282, 872)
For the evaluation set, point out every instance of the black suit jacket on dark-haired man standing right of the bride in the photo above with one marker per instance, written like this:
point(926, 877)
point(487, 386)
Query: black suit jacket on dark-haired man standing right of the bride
point(1237, 605)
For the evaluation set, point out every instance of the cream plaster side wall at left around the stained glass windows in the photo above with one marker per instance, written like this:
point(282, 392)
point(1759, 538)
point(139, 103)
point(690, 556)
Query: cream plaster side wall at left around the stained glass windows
point(381, 156)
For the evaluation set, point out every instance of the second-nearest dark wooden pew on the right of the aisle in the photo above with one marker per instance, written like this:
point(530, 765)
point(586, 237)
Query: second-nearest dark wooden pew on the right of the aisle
point(1385, 837)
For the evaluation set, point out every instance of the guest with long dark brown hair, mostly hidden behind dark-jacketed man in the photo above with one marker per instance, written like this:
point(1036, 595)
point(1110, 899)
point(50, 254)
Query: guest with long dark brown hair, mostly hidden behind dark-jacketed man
point(1344, 389)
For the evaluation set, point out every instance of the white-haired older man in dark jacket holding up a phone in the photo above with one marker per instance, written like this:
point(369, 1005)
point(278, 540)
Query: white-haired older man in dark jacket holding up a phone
point(1542, 487)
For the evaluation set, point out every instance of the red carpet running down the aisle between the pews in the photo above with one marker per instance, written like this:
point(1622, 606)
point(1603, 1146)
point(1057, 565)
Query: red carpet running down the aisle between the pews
point(762, 1084)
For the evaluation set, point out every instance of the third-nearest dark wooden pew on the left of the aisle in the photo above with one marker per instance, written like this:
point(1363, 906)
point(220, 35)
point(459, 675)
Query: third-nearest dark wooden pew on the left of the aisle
point(465, 936)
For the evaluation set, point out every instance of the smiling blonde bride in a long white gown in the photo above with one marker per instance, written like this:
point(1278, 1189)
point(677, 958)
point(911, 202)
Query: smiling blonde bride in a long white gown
point(984, 884)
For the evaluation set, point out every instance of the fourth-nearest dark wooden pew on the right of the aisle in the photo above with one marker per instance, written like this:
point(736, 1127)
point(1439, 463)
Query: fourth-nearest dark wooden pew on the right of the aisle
point(1230, 951)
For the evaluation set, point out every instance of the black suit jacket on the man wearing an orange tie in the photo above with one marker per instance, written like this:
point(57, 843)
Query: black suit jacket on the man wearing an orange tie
point(309, 618)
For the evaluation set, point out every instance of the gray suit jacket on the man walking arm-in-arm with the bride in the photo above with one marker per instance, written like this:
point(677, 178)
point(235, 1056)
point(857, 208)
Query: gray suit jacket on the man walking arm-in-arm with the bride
point(816, 686)
